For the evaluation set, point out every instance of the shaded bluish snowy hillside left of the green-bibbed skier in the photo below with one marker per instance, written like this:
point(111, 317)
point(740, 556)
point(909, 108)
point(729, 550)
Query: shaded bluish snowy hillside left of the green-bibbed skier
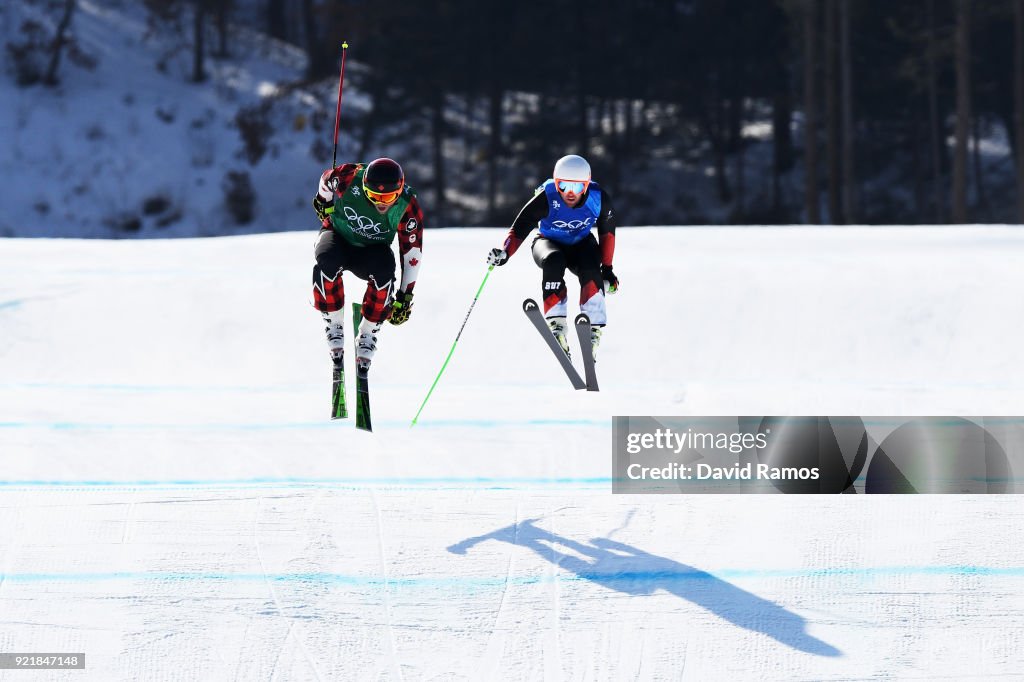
point(133, 150)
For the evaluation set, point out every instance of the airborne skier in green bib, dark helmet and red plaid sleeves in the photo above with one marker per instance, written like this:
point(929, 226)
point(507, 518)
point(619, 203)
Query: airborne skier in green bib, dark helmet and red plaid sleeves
point(362, 208)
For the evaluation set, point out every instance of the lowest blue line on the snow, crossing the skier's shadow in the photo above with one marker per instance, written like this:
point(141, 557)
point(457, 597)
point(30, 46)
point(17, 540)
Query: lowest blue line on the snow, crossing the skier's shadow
point(499, 582)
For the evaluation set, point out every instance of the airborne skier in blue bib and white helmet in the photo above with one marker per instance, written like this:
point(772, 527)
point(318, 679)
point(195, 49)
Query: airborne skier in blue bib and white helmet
point(566, 210)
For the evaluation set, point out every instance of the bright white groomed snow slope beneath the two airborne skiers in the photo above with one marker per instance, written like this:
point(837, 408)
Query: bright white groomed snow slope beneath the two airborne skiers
point(177, 505)
